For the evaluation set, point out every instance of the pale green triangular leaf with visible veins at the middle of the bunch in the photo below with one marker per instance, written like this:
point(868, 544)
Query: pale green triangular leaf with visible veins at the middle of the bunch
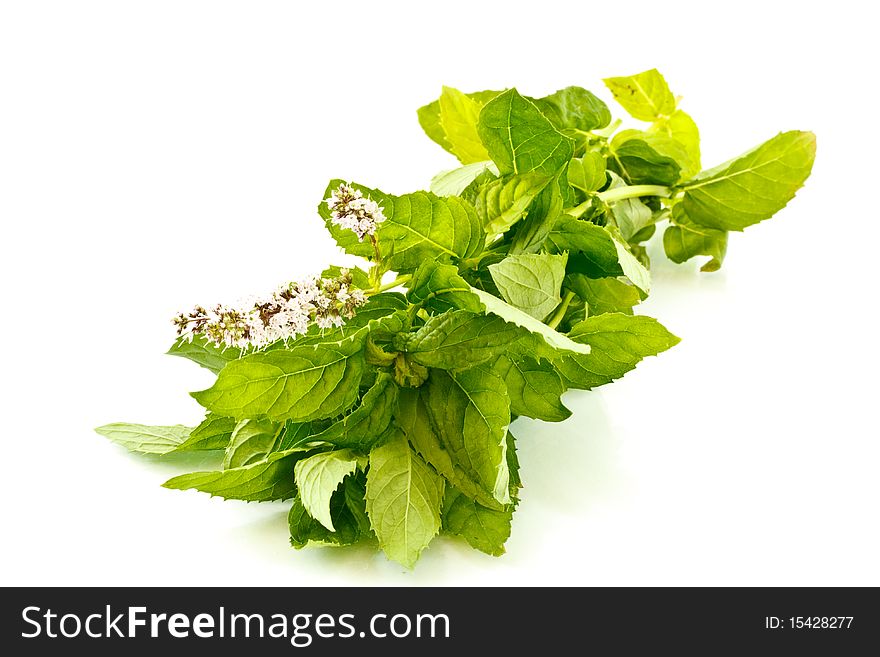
point(531, 282)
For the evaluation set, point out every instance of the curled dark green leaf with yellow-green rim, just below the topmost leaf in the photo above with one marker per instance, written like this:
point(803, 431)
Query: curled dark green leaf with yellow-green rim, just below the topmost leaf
point(637, 156)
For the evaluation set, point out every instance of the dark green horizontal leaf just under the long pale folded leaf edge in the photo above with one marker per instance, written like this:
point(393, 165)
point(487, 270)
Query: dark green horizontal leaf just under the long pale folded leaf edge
point(458, 339)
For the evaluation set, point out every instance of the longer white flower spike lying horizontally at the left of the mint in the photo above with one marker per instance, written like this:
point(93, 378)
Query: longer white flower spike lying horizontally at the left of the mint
point(288, 312)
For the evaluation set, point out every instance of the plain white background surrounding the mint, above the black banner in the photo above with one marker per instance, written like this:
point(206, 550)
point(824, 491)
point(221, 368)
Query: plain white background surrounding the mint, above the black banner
point(158, 154)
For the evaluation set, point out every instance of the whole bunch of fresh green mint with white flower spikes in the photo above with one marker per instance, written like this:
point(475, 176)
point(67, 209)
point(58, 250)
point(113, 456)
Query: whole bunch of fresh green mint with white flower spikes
point(380, 399)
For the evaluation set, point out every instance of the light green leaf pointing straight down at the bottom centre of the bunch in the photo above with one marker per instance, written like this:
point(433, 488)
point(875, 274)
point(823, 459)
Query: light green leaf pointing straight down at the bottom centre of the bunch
point(404, 498)
